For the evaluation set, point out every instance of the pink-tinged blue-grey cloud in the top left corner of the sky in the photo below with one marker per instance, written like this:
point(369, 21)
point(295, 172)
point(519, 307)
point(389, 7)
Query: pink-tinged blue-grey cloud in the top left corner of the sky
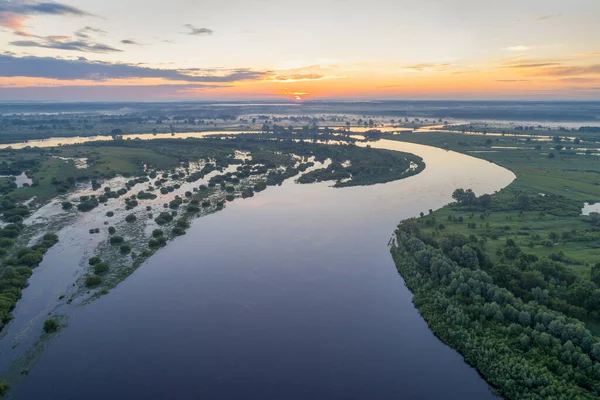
point(13, 14)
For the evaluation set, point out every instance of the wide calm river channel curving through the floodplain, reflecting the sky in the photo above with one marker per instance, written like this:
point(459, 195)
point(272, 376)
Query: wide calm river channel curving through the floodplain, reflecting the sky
point(291, 294)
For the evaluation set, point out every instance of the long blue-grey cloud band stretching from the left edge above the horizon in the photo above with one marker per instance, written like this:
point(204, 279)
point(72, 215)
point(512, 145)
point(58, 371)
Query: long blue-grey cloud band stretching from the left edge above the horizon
point(83, 69)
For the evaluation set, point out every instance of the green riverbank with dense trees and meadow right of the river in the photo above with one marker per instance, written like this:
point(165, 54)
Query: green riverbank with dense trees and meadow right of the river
point(512, 280)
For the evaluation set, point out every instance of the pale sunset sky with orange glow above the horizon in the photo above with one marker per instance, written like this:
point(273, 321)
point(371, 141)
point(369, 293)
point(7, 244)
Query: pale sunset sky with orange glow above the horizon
point(149, 50)
